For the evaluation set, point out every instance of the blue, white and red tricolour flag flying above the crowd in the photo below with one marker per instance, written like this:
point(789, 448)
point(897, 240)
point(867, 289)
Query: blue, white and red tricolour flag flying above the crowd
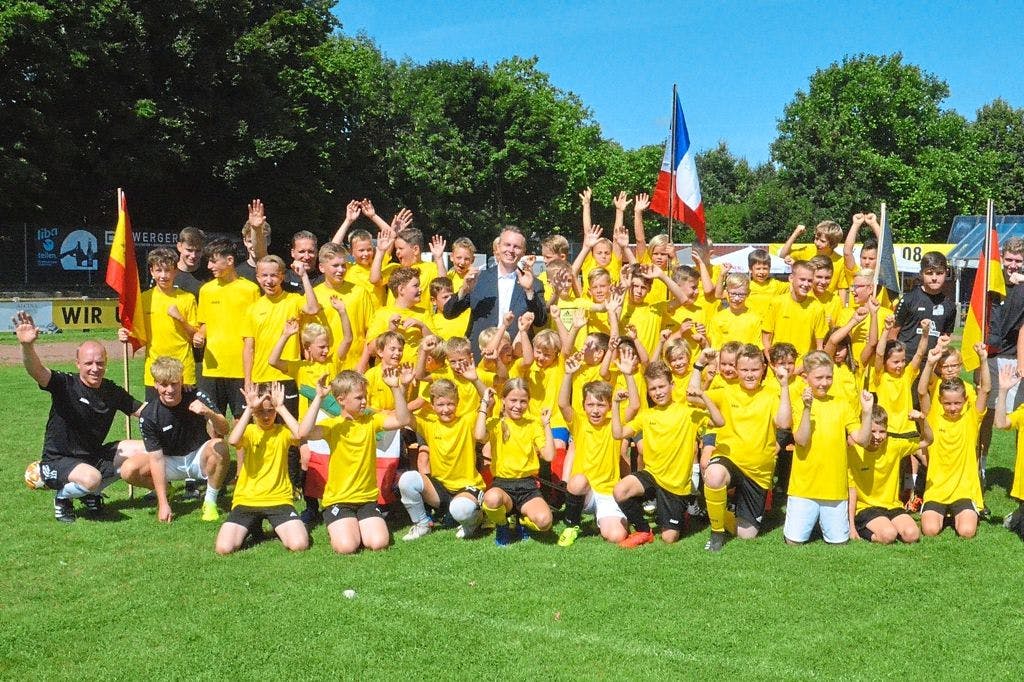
point(685, 203)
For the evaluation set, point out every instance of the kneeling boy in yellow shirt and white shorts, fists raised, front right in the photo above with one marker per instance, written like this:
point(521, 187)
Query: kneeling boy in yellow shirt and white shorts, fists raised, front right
point(820, 491)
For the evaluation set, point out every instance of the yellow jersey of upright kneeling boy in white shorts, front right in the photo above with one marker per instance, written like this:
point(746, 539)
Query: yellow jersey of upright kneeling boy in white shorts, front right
point(820, 468)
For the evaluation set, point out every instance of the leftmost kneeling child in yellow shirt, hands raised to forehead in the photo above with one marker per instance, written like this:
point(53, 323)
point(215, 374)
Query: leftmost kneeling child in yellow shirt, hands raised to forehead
point(264, 491)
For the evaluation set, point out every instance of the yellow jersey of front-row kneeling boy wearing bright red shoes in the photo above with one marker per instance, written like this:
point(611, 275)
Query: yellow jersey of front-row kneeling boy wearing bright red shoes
point(670, 436)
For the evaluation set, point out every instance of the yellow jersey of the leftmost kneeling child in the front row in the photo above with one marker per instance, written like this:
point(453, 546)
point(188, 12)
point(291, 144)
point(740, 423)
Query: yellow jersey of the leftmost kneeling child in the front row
point(264, 478)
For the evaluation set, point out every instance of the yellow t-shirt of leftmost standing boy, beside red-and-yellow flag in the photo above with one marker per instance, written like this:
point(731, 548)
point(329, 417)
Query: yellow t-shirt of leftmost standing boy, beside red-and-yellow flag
point(166, 335)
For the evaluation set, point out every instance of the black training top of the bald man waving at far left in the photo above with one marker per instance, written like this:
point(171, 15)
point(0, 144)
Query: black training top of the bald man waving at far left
point(81, 417)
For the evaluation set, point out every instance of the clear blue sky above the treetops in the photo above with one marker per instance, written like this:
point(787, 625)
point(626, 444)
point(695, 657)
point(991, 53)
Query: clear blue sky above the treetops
point(737, 64)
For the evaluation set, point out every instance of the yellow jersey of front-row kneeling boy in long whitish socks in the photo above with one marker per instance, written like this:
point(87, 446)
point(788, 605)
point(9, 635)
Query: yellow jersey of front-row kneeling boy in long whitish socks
point(453, 451)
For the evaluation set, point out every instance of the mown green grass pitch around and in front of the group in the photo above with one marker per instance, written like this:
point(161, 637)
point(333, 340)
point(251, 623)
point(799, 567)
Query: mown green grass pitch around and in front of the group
point(129, 599)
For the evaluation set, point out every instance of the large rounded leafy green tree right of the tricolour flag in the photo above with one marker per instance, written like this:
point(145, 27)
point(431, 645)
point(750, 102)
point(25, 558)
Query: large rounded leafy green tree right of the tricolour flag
point(872, 130)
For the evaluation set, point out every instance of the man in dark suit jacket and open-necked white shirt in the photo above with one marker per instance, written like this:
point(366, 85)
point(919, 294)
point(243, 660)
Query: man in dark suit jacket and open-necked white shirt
point(502, 288)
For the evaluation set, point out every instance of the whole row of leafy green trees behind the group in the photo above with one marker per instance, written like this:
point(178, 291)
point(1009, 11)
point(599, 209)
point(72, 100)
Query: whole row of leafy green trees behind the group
point(197, 107)
